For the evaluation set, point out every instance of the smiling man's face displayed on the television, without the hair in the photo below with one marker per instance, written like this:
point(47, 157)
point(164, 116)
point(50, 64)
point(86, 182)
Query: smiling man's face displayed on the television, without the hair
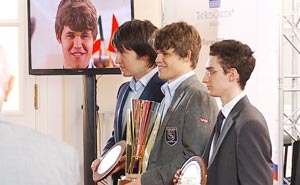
point(77, 48)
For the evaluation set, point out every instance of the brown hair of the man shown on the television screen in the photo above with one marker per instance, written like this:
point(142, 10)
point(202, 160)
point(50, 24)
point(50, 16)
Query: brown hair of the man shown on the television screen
point(79, 15)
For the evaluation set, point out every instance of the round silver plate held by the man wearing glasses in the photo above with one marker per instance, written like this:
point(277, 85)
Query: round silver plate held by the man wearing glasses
point(194, 171)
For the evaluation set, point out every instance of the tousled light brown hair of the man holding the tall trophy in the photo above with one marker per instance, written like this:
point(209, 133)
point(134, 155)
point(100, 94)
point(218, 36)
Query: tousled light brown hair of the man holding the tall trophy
point(181, 37)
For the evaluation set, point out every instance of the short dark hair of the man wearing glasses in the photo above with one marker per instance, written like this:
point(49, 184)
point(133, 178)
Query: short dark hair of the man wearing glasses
point(234, 54)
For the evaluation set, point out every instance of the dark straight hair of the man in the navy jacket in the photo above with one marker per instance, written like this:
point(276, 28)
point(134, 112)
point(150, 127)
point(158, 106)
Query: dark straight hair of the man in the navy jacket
point(134, 35)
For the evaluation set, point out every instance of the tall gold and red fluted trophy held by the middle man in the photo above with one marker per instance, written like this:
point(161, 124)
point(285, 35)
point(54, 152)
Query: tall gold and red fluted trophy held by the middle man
point(142, 123)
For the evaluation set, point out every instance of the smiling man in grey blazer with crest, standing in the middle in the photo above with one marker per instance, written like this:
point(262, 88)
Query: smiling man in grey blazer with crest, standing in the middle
point(189, 112)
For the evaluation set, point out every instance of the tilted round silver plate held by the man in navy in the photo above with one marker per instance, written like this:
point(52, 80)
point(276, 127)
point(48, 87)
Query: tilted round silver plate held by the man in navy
point(109, 161)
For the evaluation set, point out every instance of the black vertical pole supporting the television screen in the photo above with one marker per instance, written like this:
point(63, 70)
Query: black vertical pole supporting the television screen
point(89, 127)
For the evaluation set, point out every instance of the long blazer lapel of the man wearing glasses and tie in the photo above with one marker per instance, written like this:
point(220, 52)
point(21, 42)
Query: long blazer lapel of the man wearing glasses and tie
point(230, 120)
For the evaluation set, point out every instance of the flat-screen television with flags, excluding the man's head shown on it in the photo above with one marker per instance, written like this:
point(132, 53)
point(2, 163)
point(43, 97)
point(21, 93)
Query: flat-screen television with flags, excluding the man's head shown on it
point(45, 51)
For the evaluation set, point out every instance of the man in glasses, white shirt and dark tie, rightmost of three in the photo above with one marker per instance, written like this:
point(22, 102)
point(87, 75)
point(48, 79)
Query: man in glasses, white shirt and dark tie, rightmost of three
point(242, 152)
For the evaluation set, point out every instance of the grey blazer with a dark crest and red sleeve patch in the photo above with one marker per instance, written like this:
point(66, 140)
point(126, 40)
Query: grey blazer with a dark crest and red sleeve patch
point(183, 133)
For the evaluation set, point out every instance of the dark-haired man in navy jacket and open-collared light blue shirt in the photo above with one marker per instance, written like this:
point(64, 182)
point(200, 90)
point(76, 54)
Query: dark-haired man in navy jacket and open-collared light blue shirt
point(136, 58)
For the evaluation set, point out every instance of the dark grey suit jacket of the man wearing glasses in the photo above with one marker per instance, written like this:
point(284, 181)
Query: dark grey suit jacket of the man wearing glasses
point(243, 152)
